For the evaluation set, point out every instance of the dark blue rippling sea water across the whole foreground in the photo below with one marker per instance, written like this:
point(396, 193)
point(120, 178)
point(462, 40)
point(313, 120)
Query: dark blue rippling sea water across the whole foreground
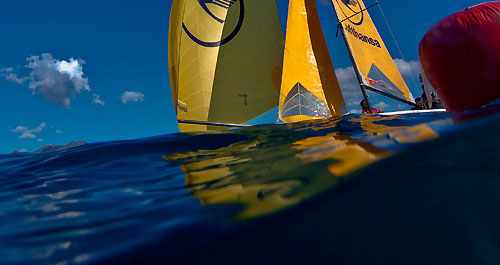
point(406, 189)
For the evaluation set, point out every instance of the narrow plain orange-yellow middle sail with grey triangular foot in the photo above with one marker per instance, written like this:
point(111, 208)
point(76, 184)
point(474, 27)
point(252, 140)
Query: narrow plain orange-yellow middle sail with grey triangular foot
point(309, 88)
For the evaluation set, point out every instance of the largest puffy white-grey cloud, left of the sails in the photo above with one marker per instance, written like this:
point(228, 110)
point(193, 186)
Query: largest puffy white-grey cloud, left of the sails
point(58, 81)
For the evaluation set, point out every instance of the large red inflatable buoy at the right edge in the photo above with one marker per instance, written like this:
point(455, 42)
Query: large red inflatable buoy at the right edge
point(460, 56)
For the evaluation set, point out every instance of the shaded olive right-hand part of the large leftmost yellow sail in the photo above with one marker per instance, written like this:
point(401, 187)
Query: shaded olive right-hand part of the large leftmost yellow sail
point(248, 74)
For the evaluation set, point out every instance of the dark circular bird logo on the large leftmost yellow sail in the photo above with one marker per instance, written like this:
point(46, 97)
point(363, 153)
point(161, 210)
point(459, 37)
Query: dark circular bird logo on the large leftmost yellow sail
point(227, 4)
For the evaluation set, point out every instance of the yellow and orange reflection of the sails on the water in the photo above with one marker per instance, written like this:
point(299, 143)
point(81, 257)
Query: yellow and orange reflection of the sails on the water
point(264, 179)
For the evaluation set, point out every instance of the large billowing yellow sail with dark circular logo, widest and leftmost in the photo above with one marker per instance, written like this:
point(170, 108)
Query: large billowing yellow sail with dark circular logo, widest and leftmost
point(225, 60)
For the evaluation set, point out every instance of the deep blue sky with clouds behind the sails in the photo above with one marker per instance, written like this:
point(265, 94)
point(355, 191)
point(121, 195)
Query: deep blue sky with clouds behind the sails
point(111, 56)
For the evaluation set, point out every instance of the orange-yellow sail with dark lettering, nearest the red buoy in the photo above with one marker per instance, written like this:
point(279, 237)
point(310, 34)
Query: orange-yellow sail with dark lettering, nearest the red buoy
point(372, 60)
